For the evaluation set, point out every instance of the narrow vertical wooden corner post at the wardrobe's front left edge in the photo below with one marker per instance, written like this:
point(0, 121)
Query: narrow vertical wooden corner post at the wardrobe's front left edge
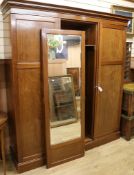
point(15, 93)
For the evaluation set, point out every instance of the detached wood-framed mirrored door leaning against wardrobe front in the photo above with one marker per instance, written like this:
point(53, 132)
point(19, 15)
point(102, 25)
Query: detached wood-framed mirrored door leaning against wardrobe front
point(63, 59)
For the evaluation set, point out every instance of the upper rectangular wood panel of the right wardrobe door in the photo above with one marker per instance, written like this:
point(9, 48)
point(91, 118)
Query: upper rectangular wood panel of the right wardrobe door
point(112, 46)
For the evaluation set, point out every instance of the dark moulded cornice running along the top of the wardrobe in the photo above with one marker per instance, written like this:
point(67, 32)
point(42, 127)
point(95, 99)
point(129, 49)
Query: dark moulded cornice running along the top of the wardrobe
point(7, 4)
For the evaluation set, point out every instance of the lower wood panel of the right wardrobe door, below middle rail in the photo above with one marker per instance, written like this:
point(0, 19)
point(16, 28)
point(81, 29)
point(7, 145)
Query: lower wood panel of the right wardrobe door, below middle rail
point(107, 120)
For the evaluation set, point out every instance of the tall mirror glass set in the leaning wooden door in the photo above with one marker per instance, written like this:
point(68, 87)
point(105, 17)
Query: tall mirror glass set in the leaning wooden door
point(64, 67)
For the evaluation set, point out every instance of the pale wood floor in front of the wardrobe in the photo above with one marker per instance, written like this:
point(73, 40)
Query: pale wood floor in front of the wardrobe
point(114, 158)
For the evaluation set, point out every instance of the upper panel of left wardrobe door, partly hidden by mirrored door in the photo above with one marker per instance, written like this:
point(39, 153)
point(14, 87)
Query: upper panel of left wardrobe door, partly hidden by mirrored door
point(28, 38)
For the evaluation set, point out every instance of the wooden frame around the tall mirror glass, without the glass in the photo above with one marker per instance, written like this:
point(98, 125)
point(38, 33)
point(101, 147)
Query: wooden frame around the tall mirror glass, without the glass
point(62, 152)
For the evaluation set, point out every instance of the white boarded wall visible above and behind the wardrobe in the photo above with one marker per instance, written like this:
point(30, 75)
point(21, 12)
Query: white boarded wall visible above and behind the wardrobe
point(98, 5)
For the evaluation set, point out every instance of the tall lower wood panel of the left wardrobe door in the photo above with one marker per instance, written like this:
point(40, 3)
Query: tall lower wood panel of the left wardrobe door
point(30, 111)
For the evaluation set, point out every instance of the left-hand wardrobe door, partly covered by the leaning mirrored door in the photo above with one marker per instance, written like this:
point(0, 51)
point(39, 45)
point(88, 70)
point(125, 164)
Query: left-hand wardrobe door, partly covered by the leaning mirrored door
point(30, 142)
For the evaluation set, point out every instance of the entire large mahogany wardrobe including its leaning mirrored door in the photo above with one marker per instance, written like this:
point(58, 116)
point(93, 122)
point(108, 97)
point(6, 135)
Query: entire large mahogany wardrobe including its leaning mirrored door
point(64, 74)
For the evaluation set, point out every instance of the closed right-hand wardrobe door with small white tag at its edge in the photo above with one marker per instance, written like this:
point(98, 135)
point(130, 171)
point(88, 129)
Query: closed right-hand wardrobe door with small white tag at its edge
point(109, 87)
